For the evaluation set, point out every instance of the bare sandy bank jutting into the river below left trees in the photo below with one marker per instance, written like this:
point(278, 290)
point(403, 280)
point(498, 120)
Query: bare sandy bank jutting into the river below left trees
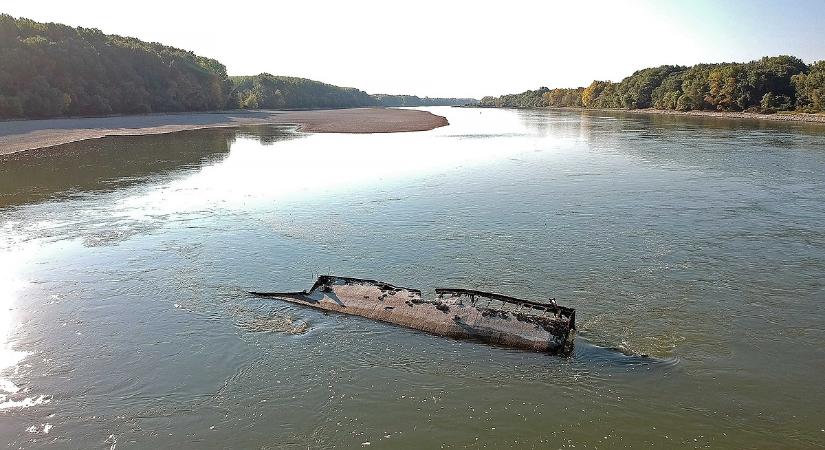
point(23, 135)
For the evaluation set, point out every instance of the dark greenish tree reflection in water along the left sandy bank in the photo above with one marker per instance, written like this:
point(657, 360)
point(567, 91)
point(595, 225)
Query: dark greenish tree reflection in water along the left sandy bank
point(115, 162)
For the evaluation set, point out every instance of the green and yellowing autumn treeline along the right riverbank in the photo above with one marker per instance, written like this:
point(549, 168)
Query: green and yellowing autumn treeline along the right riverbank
point(770, 84)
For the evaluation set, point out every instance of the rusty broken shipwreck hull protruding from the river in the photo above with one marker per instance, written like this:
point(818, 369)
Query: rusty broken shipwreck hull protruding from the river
point(457, 313)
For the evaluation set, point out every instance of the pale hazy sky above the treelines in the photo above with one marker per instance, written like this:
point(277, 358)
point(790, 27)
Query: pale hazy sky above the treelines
point(452, 48)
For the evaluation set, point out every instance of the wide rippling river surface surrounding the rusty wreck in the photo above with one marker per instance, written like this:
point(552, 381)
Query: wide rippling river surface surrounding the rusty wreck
point(692, 249)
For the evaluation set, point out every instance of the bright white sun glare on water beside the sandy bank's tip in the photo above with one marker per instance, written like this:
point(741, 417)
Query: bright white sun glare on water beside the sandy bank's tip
point(251, 175)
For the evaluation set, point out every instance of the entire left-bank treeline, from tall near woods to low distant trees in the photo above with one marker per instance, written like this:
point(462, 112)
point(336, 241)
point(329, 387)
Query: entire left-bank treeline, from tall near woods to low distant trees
point(53, 70)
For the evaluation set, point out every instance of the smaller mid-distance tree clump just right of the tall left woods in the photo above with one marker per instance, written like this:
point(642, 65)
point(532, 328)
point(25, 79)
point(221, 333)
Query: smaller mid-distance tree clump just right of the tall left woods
point(277, 92)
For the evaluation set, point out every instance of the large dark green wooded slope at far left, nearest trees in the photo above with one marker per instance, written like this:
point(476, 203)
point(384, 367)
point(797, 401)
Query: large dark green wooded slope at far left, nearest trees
point(49, 70)
